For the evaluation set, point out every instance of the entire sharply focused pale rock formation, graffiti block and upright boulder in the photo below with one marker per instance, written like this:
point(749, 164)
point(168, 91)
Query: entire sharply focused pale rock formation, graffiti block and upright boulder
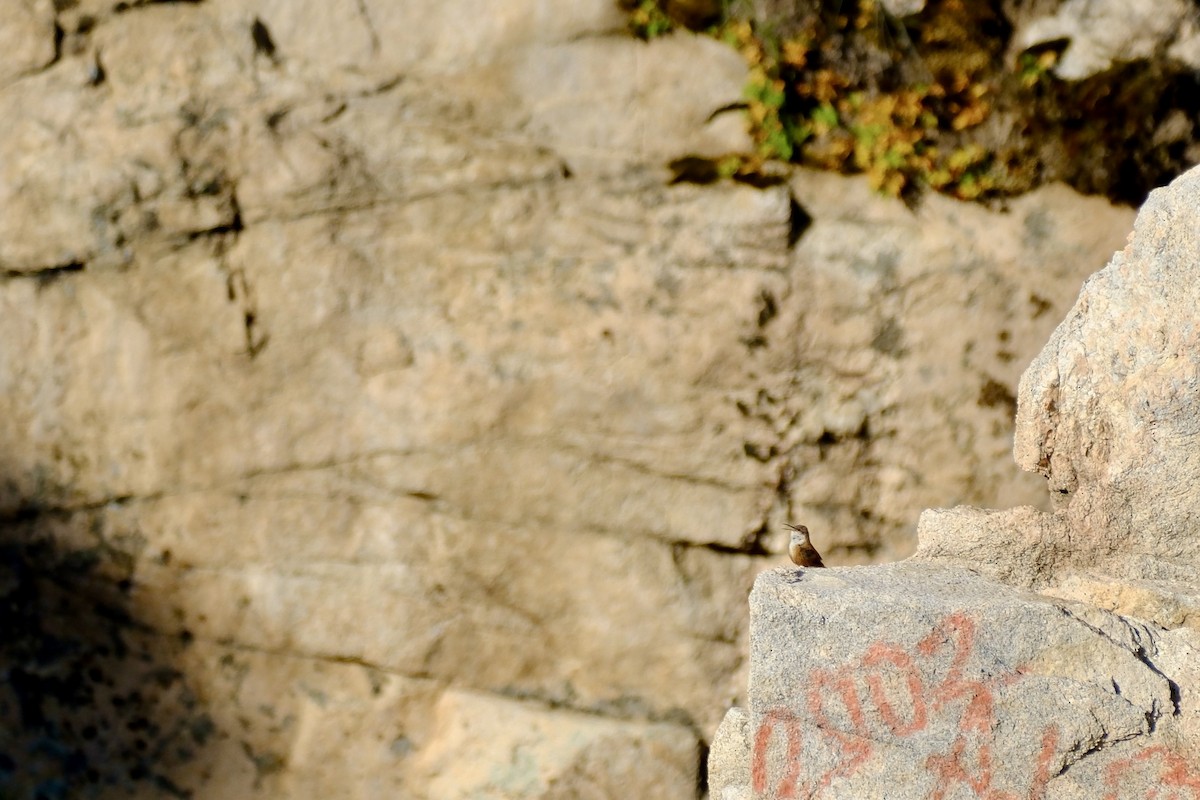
point(1021, 653)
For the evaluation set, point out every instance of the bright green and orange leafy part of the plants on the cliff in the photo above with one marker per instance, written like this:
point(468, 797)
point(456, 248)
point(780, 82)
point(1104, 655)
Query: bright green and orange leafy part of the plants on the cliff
point(905, 137)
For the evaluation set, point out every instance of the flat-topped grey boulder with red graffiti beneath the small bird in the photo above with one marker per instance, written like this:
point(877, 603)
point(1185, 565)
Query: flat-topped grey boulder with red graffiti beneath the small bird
point(921, 682)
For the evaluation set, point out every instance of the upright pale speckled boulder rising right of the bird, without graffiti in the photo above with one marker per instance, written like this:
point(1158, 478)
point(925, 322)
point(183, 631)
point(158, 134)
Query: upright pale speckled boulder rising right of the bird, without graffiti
point(1111, 410)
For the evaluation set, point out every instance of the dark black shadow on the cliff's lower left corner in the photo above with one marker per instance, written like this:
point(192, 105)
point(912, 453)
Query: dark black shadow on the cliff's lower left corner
point(92, 702)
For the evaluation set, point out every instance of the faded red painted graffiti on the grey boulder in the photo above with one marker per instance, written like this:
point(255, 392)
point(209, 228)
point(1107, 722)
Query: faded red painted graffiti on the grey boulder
point(895, 694)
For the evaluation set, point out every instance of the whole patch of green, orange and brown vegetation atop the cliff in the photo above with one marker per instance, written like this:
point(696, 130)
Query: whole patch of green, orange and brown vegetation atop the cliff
point(934, 103)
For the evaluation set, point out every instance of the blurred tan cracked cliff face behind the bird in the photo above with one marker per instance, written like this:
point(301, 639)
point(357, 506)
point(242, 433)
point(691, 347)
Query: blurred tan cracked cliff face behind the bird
point(381, 422)
